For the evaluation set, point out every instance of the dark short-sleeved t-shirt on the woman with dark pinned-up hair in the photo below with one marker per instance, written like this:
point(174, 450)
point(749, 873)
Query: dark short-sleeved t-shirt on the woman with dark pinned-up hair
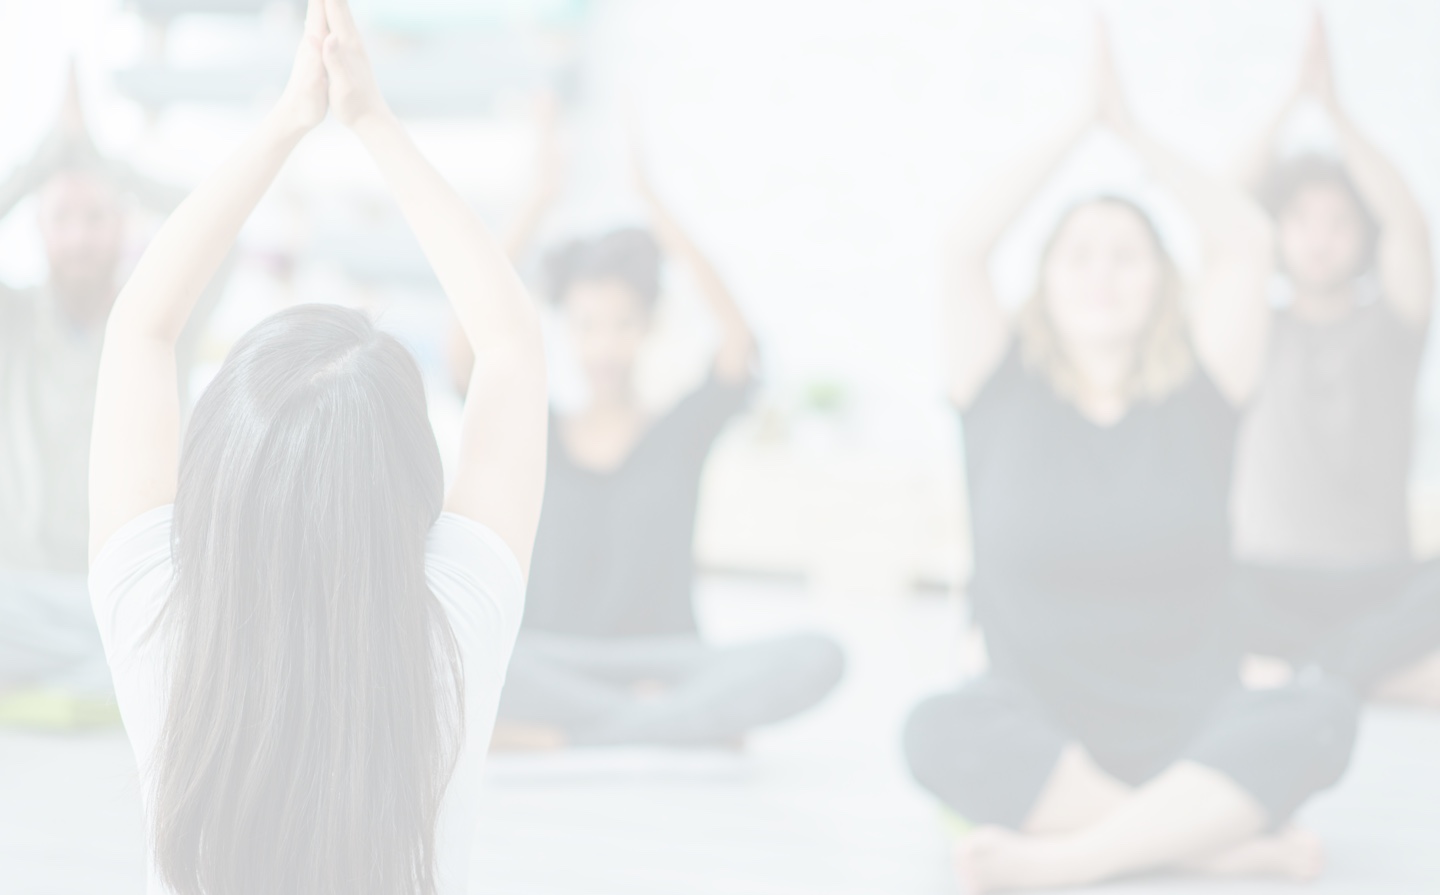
point(613, 555)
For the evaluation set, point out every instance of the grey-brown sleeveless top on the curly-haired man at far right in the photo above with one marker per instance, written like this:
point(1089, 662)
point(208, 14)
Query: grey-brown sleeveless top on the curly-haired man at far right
point(1323, 465)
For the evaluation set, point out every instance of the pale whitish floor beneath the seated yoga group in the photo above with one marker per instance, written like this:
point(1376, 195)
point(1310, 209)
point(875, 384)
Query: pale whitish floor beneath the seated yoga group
point(820, 807)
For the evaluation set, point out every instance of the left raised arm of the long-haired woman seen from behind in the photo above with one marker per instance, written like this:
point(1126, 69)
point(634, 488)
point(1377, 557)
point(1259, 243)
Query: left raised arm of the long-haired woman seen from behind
point(136, 441)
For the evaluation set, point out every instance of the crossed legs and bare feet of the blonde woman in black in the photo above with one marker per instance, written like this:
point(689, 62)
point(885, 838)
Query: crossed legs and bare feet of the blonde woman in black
point(1079, 825)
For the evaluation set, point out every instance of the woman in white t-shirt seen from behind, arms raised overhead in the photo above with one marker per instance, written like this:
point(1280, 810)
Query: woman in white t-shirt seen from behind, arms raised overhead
point(307, 634)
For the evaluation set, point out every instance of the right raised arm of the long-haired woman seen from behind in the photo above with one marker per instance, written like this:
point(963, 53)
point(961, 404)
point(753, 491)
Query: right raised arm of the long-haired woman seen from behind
point(500, 480)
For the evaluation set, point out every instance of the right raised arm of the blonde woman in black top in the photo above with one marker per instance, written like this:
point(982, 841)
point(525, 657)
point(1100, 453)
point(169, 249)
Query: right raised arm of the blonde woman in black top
point(1229, 310)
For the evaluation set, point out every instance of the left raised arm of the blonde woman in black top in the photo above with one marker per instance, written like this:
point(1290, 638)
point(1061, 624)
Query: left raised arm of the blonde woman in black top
point(977, 329)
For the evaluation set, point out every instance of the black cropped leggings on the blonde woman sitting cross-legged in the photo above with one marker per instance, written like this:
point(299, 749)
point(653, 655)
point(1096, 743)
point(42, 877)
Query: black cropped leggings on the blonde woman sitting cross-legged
point(989, 749)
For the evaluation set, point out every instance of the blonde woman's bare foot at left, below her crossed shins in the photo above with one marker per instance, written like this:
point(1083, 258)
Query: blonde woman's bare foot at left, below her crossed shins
point(994, 860)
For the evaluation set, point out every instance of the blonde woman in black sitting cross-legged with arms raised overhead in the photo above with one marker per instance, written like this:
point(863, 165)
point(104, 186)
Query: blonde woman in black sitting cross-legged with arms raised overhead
point(1111, 735)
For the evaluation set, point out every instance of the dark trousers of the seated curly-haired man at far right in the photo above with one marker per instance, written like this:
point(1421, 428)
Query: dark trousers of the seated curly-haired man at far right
point(1362, 625)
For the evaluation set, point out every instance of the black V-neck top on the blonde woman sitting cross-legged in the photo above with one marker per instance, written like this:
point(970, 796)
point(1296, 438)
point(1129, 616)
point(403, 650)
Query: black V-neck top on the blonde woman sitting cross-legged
point(1102, 553)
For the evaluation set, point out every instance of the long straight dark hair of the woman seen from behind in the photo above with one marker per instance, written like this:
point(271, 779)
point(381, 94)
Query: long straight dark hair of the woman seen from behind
point(315, 693)
